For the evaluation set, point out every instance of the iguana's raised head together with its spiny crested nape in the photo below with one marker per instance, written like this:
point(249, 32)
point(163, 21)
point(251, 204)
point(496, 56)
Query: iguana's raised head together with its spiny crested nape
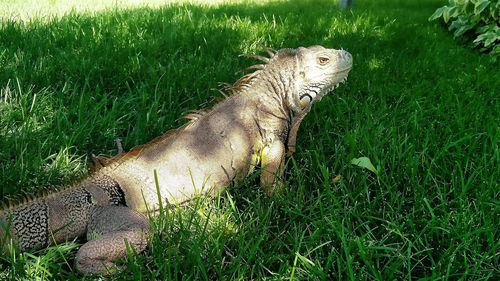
point(299, 76)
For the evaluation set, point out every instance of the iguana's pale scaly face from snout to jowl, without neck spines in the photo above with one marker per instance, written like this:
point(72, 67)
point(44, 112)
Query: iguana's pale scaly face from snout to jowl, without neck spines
point(320, 70)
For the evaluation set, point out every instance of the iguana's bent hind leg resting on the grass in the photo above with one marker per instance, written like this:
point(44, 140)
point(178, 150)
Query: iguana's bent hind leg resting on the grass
point(112, 232)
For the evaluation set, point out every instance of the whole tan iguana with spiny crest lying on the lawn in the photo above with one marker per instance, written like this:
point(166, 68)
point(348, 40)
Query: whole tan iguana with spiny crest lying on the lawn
point(256, 125)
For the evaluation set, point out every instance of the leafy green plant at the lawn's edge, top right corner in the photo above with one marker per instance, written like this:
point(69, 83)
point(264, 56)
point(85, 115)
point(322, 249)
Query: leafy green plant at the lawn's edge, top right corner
point(475, 18)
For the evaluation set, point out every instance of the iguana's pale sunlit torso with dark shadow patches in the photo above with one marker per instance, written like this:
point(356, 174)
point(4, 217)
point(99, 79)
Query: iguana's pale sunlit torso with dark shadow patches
point(205, 155)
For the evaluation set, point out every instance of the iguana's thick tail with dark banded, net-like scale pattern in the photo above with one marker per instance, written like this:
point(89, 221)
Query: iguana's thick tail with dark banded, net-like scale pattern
point(57, 216)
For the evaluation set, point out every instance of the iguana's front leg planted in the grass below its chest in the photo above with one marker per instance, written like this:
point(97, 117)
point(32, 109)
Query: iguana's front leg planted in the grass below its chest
point(272, 165)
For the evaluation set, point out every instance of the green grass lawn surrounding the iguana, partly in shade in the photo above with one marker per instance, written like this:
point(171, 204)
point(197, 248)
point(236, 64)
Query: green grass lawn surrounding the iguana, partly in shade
point(421, 106)
